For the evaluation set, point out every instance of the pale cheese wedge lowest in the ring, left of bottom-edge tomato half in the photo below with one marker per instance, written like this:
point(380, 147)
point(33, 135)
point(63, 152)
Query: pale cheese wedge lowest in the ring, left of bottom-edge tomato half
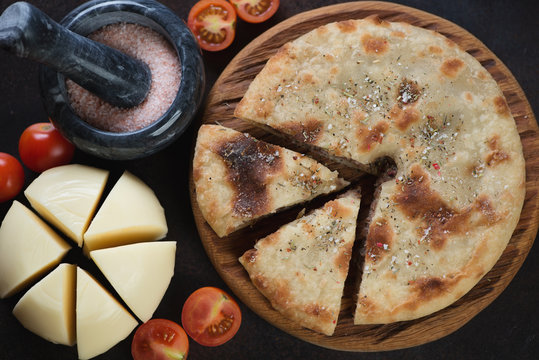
point(101, 321)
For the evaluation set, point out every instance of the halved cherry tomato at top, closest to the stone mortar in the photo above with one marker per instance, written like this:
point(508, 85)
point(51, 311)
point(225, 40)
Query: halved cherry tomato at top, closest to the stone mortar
point(213, 22)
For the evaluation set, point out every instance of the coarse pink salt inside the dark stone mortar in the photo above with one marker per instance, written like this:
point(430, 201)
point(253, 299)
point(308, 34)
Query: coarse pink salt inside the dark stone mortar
point(148, 46)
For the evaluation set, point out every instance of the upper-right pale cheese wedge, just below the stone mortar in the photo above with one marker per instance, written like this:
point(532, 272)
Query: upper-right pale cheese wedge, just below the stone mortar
point(131, 213)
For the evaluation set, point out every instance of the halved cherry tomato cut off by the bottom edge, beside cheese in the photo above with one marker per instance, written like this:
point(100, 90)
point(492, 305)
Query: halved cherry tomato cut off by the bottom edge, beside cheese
point(160, 339)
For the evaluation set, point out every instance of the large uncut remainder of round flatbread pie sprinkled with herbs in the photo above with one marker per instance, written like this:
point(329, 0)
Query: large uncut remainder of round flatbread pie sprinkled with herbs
point(360, 90)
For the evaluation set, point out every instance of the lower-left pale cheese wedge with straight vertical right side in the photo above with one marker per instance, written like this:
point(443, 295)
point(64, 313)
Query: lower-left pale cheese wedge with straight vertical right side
point(48, 308)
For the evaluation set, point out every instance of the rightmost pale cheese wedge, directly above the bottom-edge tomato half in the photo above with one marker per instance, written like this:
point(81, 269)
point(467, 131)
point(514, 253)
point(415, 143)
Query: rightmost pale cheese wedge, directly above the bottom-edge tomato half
point(140, 273)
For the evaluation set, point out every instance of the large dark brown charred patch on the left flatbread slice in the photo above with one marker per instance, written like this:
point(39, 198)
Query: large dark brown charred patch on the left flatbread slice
point(249, 162)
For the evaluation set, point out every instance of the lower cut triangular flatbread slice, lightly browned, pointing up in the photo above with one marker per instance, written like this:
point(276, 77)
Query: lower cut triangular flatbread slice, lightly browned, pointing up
point(302, 267)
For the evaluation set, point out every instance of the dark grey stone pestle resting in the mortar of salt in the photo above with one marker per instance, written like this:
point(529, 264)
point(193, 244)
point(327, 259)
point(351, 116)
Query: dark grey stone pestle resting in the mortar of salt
point(108, 73)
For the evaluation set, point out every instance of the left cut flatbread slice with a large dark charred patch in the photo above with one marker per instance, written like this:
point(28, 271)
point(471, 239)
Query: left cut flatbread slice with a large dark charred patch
point(239, 179)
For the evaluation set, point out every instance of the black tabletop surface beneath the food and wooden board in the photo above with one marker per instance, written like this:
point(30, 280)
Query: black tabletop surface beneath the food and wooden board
point(507, 329)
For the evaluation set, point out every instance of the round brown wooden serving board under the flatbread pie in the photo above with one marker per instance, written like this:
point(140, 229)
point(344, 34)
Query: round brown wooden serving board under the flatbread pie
point(228, 91)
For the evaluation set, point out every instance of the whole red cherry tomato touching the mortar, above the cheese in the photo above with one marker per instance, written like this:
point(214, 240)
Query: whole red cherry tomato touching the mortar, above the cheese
point(42, 147)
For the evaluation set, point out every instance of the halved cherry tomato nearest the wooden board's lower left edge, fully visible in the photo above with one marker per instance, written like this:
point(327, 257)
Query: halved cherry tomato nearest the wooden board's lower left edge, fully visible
point(210, 316)
